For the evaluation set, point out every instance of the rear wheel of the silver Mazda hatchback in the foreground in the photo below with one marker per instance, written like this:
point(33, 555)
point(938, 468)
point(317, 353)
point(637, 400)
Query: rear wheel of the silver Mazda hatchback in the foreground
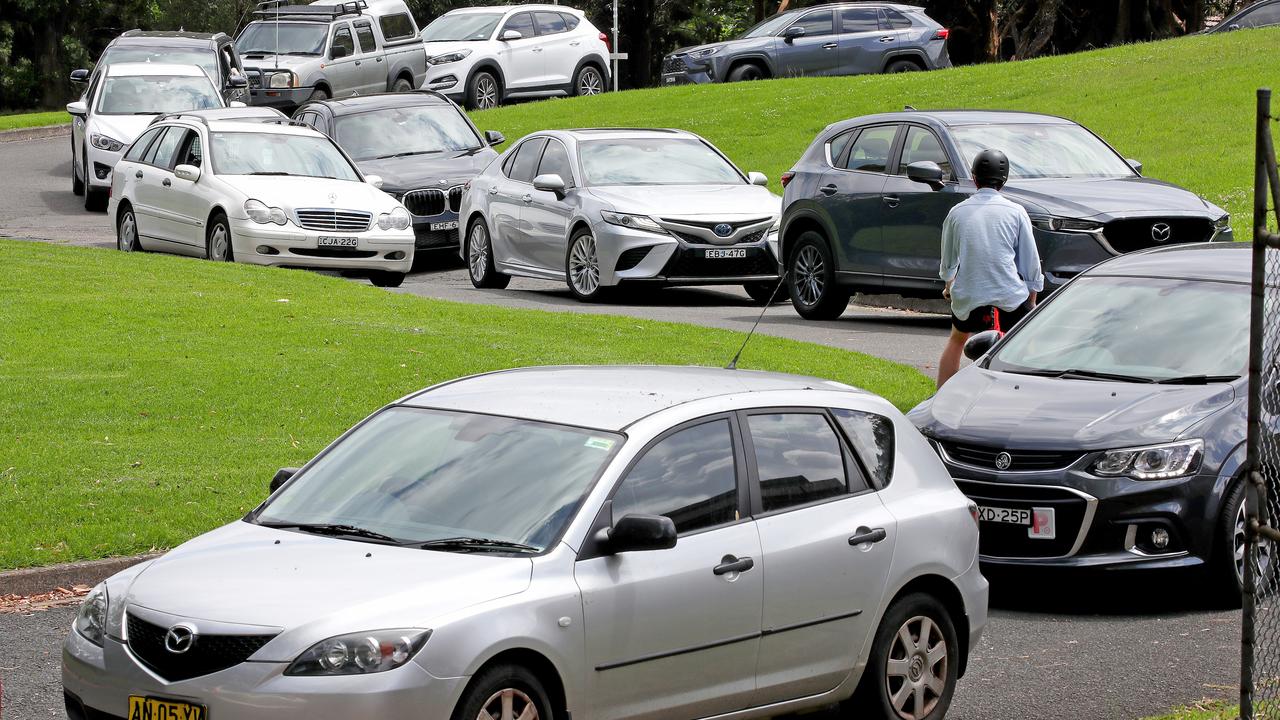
point(913, 666)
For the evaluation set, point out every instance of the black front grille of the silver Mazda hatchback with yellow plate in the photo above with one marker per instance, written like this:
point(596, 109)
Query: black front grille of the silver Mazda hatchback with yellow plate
point(209, 654)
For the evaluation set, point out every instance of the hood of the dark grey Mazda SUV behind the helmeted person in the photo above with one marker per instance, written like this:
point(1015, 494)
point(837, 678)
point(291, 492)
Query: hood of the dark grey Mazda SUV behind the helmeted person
point(1108, 198)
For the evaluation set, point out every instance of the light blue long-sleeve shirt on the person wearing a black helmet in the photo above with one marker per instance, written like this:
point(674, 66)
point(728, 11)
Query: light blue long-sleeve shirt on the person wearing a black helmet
point(989, 254)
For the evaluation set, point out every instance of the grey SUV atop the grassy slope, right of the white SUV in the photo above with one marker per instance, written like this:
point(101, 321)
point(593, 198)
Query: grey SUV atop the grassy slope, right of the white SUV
point(831, 40)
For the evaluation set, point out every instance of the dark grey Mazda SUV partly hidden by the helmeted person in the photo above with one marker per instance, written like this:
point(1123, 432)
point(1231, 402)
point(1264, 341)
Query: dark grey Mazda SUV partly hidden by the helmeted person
point(863, 208)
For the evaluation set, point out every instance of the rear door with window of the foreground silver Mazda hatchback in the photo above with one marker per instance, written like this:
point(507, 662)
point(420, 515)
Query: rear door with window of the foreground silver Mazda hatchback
point(828, 543)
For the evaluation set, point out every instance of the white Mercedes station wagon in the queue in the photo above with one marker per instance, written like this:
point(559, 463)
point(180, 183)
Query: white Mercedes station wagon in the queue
point(258, 193)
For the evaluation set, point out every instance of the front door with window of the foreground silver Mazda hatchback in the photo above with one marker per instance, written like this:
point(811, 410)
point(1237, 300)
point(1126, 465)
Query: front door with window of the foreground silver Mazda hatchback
point(674, 634)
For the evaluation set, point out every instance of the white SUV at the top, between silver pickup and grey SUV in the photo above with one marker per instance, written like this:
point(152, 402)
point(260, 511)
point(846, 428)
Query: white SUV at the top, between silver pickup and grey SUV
point(486, 56)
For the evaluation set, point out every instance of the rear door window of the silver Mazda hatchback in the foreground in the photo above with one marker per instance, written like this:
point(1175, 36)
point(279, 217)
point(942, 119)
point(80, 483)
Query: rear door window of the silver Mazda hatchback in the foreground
point(798, 459)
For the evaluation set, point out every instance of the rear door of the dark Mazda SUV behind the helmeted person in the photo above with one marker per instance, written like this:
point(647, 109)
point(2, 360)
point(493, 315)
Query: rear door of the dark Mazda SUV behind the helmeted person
point(852, 194)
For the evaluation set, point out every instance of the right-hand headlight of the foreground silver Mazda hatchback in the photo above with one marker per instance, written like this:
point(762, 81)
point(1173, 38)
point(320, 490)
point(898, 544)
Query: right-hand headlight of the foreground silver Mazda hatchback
point(359, 654)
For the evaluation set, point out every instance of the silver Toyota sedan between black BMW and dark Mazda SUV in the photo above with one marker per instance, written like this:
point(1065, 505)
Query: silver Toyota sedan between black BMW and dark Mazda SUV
point(598, 208)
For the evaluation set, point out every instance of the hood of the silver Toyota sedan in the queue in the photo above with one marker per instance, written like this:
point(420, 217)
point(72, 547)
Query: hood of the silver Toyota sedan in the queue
point(692, 200)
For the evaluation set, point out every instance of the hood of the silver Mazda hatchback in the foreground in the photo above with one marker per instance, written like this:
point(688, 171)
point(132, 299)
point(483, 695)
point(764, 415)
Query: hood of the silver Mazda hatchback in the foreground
point(314, 587)
